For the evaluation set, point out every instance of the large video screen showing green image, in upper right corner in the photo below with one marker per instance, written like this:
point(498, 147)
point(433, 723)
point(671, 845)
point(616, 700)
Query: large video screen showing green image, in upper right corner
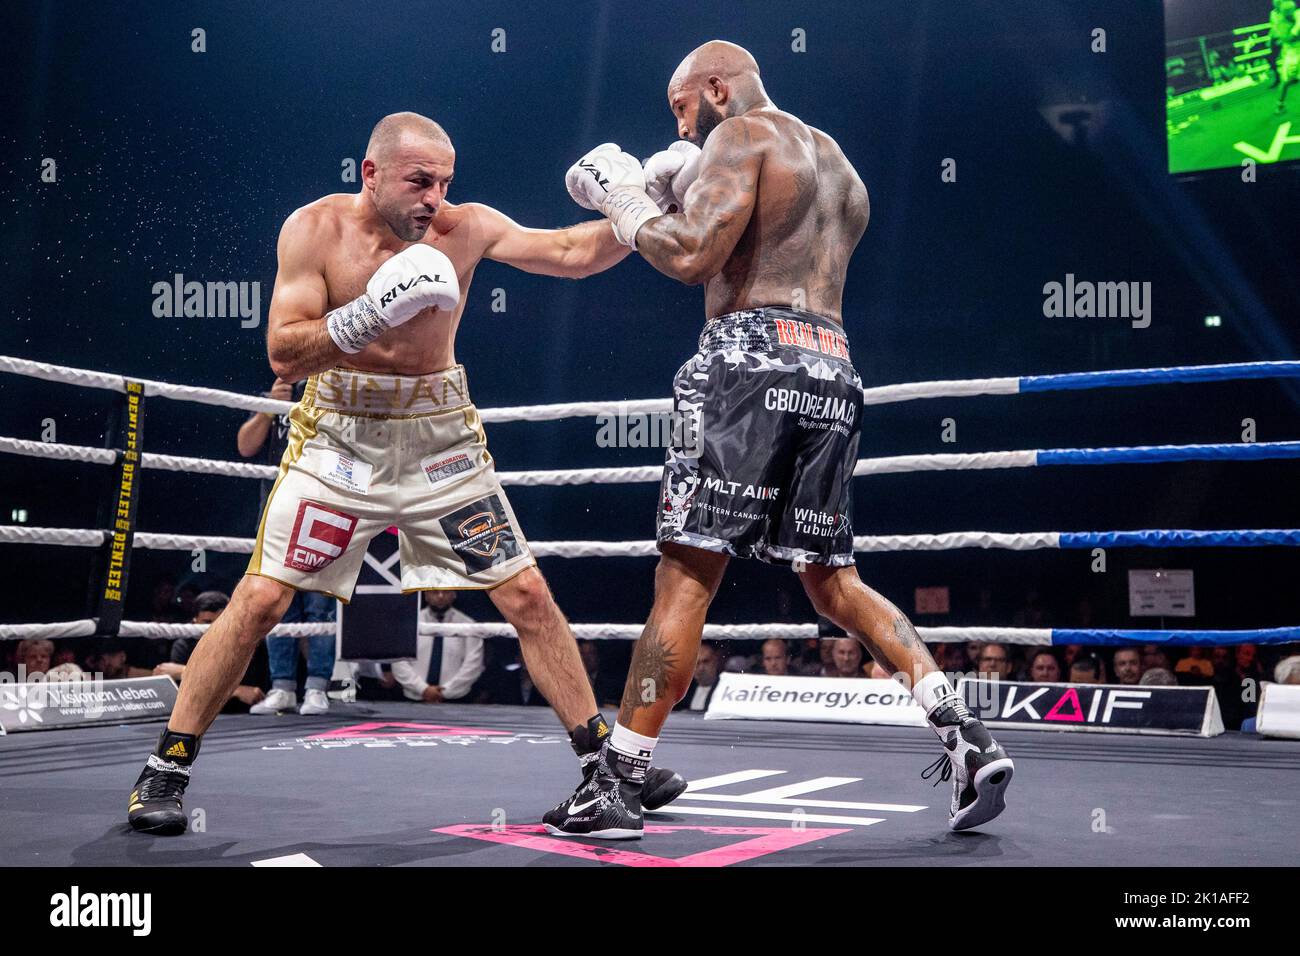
point(1232, 83)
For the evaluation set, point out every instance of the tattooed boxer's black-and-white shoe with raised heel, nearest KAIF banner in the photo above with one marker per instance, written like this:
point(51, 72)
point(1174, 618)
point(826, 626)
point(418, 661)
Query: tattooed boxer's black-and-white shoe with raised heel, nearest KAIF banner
point(978, 767)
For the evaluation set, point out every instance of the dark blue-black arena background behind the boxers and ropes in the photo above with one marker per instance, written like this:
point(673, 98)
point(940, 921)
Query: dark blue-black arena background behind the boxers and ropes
point(179, 162)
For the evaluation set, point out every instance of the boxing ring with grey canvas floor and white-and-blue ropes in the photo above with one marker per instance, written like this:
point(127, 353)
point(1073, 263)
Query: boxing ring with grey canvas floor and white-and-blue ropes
point(469, 786)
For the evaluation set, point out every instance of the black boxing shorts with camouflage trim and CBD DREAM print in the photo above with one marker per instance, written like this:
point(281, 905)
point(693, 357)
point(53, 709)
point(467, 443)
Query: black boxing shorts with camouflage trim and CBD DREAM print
point(766, 438)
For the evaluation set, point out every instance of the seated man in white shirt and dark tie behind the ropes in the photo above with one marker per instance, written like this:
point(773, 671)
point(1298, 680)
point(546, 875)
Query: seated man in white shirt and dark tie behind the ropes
point(444, 668)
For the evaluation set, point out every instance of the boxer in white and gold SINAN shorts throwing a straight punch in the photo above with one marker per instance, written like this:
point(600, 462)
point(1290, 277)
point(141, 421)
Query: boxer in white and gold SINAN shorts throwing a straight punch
point(369, 297)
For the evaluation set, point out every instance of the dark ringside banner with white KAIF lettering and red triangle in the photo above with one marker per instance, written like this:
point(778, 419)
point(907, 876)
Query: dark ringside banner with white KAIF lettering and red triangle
point(1098, 708)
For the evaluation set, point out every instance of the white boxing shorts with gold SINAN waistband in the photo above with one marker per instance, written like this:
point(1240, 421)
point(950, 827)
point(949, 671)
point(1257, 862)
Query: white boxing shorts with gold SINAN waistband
point(371, 452)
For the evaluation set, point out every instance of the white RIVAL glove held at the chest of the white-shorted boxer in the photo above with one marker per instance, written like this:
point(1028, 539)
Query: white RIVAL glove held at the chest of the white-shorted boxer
point(417, 279)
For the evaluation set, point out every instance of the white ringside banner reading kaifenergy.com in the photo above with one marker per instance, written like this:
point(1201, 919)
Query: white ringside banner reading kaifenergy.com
point(764, 698)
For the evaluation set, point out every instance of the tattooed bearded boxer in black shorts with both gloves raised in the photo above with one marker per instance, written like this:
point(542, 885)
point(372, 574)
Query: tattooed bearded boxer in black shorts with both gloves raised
point(772, 214)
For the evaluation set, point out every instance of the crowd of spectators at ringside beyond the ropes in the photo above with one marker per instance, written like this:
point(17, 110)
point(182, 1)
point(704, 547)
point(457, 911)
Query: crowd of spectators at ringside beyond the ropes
point(454, 669)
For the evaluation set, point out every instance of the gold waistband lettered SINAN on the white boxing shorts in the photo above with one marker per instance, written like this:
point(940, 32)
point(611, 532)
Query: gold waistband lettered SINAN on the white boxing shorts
point(378, 396)
